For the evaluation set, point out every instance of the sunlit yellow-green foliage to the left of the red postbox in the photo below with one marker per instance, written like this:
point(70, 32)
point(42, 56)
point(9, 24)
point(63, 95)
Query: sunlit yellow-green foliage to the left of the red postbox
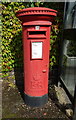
point(11, 35)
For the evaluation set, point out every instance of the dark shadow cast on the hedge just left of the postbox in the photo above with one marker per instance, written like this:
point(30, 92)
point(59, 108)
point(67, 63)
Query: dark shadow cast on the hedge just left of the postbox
point(17, 53)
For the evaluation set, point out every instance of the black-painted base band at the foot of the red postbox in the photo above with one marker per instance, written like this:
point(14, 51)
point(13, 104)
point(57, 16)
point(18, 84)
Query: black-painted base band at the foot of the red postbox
point(35, 101)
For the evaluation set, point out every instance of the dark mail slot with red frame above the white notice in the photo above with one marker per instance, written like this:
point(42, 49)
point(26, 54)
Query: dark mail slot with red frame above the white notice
point(37, 34)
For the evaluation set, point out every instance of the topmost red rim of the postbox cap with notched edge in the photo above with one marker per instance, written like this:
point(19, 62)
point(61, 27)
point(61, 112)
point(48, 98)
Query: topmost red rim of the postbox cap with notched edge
point(36, 11)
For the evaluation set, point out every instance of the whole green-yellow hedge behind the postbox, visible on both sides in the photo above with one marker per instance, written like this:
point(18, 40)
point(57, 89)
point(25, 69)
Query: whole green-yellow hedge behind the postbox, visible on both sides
point(12, 52)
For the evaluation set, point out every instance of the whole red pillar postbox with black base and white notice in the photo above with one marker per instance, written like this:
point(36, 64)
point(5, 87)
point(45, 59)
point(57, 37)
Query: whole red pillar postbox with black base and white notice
point(36, 24)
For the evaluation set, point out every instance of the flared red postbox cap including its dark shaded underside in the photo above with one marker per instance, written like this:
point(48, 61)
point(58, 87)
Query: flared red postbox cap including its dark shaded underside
point(36, 14)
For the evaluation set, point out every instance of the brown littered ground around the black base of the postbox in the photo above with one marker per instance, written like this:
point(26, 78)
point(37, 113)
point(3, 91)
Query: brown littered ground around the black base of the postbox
point(13, 105)
